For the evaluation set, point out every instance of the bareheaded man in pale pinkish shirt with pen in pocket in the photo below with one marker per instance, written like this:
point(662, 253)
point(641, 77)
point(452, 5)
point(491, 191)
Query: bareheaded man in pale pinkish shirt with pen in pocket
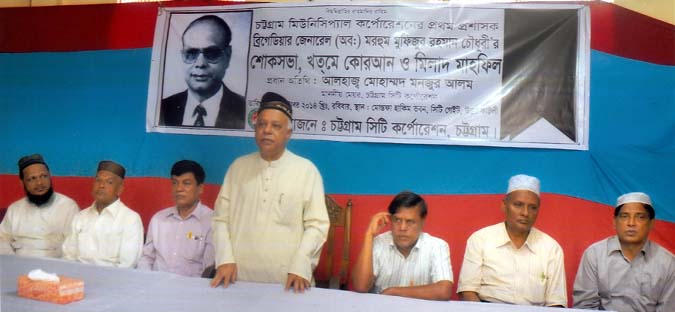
point(179, 237)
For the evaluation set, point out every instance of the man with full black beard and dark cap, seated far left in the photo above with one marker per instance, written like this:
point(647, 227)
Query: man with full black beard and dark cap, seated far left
point(37, 224)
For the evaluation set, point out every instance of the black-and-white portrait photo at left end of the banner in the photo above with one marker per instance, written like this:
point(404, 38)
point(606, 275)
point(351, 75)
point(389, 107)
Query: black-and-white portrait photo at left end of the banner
point(202, 79)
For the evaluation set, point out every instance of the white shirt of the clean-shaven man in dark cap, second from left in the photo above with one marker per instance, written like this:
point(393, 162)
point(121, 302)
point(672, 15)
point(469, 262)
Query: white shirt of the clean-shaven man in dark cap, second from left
point(112, 238)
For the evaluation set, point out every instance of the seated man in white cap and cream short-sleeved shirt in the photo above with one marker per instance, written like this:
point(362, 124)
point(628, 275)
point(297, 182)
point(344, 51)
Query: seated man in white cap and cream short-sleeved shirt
point(512, 261)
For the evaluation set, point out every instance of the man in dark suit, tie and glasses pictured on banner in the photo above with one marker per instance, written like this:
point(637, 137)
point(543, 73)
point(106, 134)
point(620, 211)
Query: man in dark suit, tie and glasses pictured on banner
point(207, 102)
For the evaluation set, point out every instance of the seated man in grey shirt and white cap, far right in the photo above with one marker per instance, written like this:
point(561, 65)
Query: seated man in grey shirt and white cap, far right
point(627, 272)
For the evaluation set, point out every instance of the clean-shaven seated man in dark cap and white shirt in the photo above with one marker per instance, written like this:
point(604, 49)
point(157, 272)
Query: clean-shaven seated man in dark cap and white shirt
point(107, 233)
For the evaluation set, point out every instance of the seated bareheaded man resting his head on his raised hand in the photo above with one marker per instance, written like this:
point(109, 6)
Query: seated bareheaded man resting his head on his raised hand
point(404, 261)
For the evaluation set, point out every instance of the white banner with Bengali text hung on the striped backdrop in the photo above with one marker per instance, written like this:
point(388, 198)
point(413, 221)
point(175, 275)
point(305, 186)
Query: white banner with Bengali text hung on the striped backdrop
point(494, 75)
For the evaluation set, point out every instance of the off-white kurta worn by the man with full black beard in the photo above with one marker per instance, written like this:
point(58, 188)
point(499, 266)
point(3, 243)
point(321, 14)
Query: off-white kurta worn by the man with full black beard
point(29, 230)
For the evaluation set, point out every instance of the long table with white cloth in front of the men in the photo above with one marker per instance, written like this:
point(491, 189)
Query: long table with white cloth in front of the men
point(118, 290)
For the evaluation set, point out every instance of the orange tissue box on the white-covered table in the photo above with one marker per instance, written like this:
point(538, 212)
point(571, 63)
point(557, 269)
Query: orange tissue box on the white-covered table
point(65, 291)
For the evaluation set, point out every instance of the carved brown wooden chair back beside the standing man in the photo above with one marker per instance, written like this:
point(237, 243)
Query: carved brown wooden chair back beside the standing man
point(339, 217)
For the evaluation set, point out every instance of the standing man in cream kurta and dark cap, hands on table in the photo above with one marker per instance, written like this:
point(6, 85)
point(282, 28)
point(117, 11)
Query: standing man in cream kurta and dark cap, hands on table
point(270, 219)
